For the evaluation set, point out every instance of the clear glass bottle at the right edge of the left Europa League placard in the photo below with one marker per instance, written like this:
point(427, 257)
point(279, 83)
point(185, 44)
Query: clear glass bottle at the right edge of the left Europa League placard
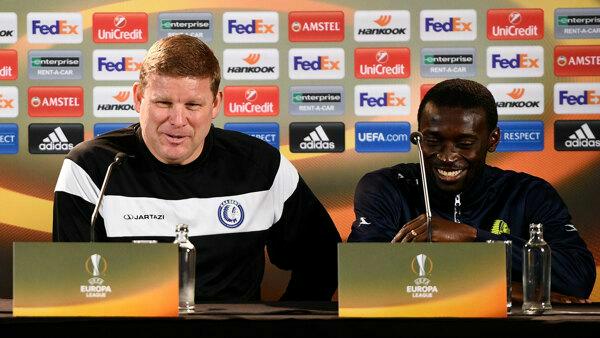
point(187, 269)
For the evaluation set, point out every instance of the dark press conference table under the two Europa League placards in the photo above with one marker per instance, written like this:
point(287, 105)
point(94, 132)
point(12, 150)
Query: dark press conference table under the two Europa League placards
point(306, 320)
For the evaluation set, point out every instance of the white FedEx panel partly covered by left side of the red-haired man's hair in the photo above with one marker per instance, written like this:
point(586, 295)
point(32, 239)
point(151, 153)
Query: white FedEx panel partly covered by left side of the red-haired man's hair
point(113, 64)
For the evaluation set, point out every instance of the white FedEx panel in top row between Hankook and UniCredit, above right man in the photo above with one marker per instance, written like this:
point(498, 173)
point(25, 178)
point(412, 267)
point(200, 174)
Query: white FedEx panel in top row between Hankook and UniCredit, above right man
point(438, 25)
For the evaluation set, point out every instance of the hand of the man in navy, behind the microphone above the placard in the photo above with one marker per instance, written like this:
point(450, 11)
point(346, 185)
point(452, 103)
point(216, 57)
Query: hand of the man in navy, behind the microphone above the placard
point(443, 230)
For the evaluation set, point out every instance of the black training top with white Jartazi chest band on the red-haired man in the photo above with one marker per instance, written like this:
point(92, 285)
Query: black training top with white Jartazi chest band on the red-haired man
point(237, 197)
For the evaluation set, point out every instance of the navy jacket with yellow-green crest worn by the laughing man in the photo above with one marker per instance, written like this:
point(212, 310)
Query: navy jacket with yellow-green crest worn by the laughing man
point(500, 205)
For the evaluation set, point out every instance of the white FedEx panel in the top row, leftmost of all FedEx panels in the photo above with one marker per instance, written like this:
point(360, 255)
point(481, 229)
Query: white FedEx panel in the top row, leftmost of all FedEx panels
point(54, 27)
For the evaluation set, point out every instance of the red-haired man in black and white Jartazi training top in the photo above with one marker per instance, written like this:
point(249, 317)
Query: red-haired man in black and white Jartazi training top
point(236, 193)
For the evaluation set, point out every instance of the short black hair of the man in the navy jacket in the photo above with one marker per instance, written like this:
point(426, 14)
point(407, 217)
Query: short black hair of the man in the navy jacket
point(464, 94)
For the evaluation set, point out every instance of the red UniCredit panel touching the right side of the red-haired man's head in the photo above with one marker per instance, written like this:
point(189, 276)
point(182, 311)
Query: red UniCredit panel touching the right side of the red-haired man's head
point(251, 101)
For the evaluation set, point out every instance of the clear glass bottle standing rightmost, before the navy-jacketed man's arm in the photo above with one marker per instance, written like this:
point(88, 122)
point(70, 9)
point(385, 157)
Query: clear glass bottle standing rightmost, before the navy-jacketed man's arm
point(536, 272)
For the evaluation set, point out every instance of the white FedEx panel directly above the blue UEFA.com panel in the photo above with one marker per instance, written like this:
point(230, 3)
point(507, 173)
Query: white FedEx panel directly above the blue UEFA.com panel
point(377, 100)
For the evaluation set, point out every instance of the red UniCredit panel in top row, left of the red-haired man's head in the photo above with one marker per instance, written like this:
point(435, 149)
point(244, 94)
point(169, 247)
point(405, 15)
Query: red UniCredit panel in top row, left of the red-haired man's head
point(120, 27)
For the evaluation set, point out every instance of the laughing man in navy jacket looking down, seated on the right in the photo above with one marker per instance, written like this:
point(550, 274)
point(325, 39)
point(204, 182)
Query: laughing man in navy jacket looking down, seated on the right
point(470, 200)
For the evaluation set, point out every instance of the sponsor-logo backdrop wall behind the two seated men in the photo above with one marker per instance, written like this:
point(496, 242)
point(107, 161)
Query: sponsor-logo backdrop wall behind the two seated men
point(335, 85)
